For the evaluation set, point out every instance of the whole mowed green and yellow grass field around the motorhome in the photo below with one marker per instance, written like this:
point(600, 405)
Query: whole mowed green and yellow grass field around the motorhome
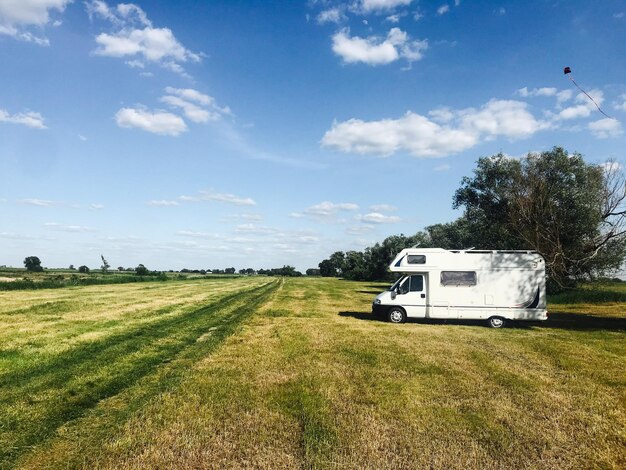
point(294, 373)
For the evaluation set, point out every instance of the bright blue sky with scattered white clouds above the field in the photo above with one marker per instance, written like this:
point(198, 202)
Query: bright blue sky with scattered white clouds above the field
point(210, 134)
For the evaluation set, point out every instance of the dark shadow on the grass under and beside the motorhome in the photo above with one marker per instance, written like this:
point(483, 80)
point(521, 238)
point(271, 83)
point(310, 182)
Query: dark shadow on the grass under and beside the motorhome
point(563, 321)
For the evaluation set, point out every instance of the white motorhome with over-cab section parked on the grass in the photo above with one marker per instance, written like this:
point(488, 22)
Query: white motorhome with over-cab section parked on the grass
point(465, 284)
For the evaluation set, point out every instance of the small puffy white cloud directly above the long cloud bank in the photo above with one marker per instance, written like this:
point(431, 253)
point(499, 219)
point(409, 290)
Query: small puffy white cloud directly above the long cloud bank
point(376, 51)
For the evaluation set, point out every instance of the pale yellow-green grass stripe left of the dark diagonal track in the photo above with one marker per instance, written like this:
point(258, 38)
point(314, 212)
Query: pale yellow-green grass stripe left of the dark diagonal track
point(30, 324)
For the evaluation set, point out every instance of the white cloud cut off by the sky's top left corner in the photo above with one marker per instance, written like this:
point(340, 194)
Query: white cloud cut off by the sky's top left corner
point(17, 16)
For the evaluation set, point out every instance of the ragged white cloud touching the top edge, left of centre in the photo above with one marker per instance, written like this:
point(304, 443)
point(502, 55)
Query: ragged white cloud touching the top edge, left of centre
point(136, 39)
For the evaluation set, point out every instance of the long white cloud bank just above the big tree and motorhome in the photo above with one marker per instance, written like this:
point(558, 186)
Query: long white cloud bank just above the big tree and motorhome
point(423, 137)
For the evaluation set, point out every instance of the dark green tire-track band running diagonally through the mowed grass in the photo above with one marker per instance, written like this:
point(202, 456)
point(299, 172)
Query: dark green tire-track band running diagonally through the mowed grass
point(35, 403)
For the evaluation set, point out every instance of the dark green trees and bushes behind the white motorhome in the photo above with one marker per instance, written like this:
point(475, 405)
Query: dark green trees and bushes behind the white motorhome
point(571, 212)
